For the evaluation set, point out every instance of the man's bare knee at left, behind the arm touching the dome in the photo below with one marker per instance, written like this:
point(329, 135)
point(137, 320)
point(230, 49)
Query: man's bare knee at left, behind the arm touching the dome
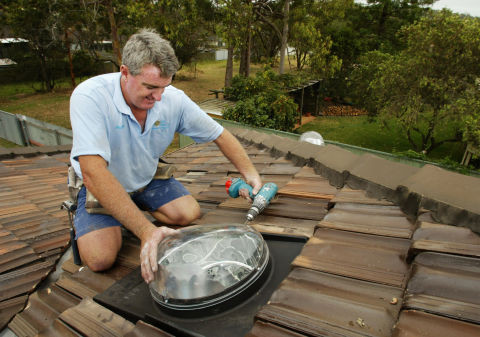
point(98, 249)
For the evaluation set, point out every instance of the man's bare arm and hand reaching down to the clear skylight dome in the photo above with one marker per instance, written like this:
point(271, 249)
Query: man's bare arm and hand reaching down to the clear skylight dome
point(113, 197)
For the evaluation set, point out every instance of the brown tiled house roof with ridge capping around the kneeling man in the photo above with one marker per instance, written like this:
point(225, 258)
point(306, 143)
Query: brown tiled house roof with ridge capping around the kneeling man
point(390, 248)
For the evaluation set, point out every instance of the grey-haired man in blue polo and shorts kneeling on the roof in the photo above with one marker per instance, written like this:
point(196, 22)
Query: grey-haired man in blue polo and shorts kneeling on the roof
point(122, 123)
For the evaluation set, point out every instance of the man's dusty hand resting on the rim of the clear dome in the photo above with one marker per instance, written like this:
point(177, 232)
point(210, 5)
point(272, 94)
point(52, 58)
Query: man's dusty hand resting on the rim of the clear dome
point(149, 249)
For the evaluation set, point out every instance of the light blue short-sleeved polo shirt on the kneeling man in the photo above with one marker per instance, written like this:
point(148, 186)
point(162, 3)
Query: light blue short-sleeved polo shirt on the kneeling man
point(104, 125)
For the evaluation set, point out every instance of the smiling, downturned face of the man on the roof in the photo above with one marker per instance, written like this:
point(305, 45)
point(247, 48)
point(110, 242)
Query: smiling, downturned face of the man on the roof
point(143, 90)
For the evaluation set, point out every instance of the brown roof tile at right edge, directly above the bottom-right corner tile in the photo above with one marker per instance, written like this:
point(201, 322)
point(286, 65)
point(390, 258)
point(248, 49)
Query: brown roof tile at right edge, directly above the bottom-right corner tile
point(446, 285)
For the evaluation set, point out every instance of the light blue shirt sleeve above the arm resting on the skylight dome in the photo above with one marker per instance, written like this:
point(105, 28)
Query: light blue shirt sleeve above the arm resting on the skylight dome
point(89, 127)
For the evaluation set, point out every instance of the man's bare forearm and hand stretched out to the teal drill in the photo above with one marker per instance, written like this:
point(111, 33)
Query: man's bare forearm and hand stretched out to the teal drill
point(234, 151)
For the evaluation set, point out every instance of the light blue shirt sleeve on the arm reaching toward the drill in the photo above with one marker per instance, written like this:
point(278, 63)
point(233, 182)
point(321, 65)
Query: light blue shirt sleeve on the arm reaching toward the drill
point(196, 124)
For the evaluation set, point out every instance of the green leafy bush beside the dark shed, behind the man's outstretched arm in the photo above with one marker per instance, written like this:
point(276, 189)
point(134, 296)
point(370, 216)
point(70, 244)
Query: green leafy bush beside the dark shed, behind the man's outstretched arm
point(261, 101)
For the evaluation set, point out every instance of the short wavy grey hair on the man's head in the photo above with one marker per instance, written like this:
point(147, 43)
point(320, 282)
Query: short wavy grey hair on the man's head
point(148, 47)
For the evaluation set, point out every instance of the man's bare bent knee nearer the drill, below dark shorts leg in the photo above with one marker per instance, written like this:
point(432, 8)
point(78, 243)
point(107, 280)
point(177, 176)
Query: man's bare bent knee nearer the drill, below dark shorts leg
point(181, 211)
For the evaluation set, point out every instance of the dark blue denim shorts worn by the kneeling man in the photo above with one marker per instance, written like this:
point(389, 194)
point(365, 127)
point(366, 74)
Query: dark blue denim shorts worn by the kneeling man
point(156, 194)
